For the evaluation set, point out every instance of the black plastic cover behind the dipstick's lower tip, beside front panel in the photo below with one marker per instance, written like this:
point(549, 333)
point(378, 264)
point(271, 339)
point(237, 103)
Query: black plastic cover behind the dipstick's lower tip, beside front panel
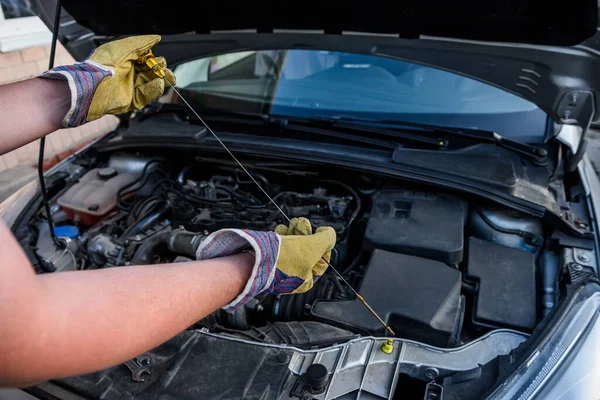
point(419, 298)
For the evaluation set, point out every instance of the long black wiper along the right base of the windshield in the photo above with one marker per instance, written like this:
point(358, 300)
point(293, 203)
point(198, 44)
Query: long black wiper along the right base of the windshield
point(538, 155)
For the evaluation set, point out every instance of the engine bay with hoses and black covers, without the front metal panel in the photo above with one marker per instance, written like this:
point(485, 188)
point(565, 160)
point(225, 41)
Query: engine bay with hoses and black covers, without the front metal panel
point(417, 255)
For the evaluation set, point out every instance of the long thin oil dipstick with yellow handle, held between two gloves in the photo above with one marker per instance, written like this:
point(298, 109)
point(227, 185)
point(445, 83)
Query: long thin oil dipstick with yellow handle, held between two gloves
point(148, 60)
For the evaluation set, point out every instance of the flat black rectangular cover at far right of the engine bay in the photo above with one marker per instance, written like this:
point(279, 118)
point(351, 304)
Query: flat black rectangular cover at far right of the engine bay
point(507, 289)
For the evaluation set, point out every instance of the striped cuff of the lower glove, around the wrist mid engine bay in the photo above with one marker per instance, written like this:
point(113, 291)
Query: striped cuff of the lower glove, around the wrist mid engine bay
point(231, 241)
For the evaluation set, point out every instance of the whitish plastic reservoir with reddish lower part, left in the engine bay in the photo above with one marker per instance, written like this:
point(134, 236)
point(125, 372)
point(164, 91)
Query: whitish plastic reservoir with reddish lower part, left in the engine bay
point(95, 195)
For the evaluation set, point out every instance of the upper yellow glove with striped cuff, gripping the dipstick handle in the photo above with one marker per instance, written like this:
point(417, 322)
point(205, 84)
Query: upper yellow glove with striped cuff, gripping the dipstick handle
point(109, 81)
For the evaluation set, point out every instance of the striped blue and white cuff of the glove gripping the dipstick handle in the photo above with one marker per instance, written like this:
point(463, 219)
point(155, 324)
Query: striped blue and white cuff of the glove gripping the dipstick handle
point(83, 79)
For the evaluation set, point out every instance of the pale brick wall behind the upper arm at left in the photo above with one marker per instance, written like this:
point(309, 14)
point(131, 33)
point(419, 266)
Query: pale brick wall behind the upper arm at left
point(27, 63)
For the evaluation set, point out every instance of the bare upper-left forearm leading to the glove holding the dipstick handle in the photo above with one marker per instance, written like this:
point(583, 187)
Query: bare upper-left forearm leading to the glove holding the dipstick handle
point(31, 109)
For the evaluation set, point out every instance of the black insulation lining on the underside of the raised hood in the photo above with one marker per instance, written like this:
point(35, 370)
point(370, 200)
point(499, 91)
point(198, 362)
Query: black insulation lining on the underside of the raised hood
point(536, 22)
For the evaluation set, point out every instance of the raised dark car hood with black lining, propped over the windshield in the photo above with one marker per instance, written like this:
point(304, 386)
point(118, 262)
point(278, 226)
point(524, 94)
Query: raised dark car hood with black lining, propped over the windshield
point(544, 52)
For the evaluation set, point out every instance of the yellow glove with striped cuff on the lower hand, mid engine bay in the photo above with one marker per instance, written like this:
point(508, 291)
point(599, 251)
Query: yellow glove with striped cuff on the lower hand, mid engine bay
point(286, 261)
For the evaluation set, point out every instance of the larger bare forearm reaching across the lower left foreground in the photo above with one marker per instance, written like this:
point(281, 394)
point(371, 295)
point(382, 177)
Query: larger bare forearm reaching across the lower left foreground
point(89, 320)
